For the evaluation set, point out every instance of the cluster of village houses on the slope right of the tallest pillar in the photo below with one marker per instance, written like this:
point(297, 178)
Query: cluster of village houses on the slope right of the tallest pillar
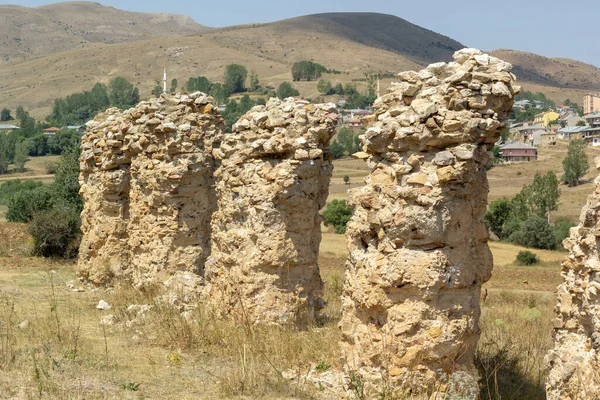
point(560, 123)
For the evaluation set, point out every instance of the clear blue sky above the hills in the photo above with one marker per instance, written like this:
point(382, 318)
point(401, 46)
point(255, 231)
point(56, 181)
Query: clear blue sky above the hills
point(551, 28)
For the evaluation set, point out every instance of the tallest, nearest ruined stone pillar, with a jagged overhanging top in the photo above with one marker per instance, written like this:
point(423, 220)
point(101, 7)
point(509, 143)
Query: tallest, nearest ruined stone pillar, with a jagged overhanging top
point(418, 246)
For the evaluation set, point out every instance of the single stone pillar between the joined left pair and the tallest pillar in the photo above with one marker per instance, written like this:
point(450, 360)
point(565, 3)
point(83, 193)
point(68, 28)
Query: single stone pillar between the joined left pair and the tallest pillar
point(272, 182)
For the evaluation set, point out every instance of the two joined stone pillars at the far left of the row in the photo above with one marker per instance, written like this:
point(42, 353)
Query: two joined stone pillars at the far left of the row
point(147, 182)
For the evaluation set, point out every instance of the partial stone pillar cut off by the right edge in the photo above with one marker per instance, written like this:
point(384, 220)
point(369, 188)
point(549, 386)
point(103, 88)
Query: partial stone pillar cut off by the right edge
point(574, 362)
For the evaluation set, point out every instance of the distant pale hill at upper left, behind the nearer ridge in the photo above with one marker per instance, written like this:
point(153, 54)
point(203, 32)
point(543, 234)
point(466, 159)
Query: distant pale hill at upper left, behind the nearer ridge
point(27, 32)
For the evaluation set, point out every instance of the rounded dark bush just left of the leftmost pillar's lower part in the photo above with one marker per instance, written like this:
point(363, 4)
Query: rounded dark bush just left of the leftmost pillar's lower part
point(55, 232)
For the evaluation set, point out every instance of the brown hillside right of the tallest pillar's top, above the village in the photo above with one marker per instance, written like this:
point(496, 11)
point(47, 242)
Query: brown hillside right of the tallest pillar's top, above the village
point(557, 72)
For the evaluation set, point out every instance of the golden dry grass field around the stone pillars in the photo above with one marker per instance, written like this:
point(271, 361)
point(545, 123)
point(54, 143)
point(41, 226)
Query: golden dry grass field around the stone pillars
point(52, 345)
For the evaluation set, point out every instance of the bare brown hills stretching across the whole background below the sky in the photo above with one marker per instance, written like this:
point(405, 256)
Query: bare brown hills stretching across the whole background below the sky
point(56, 50)
